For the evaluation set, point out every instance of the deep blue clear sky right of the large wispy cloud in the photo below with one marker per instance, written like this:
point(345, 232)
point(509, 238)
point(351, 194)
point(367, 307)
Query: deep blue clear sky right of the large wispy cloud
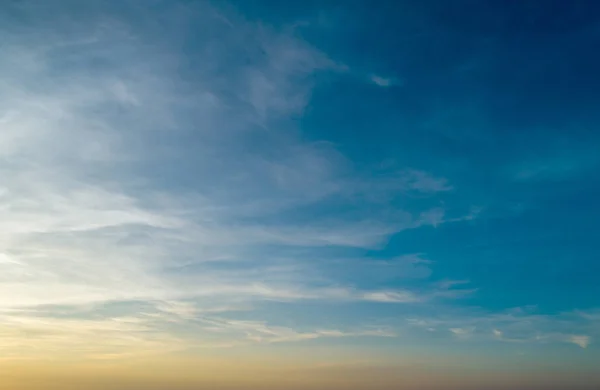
point(510, 87)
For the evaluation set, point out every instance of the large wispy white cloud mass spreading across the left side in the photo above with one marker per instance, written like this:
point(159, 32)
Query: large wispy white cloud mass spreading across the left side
point(131, 173)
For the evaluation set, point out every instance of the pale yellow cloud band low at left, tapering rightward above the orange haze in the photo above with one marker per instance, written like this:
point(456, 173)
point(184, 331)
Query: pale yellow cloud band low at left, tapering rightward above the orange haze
point(127, 329)
